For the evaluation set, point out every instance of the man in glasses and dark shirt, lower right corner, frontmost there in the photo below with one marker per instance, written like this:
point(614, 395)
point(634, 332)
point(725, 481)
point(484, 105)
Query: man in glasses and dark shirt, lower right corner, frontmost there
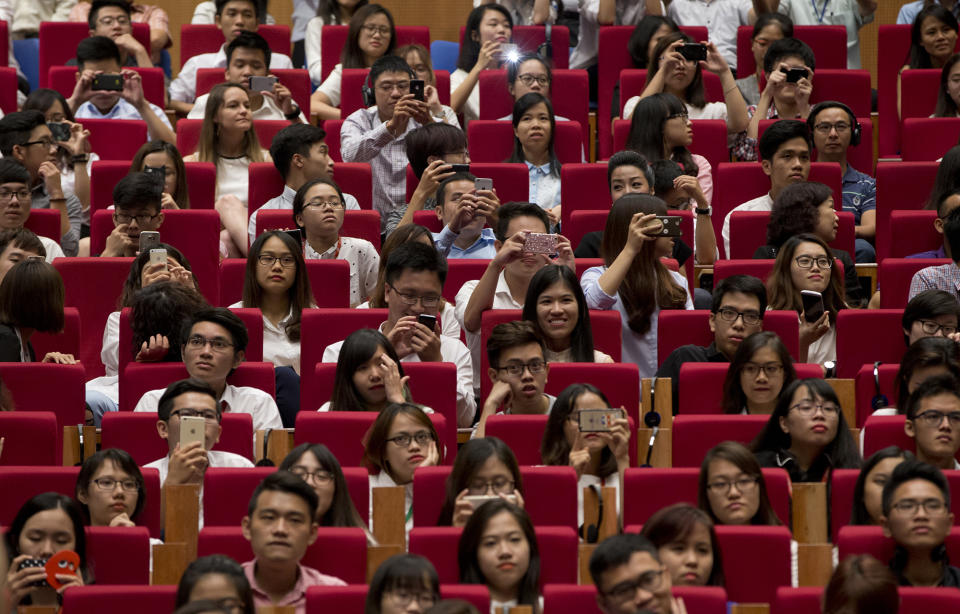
point(916, 514)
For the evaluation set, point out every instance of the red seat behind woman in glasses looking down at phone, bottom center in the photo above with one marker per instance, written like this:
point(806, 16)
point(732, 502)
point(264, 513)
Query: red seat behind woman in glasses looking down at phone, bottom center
point(549, 494)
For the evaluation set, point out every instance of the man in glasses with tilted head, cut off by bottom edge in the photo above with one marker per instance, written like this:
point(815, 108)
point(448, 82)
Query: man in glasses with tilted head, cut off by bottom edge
point(630, 579)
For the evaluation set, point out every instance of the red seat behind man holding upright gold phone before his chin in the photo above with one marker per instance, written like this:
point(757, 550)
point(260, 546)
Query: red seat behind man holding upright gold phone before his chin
point(136, 432)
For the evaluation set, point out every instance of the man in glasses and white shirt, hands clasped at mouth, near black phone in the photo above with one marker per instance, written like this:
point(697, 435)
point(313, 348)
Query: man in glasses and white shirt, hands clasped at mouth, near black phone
point(413, 283)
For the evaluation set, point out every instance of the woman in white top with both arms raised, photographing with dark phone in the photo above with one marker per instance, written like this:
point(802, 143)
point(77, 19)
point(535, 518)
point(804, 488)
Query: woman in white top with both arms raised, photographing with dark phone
point(671, 72)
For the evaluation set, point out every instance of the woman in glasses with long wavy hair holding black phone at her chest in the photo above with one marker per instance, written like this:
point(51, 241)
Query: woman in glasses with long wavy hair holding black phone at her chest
point(805, 262)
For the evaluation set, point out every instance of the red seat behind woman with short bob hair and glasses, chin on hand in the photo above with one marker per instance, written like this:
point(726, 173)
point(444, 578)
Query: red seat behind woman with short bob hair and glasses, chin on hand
point(345, 431)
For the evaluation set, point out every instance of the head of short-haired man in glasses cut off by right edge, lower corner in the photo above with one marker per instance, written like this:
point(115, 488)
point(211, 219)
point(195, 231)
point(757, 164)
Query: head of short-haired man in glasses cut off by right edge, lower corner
point(933, 421)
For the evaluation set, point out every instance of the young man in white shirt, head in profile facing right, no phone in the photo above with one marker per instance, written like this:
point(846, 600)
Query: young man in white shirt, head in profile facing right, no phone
point(300, 154)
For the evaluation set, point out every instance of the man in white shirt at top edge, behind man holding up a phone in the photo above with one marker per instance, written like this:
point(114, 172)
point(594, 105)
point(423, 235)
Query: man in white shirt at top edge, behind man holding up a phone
point(232, 17)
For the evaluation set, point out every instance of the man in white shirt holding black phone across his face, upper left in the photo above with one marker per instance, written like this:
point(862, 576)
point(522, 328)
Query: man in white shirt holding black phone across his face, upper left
point(98, 58)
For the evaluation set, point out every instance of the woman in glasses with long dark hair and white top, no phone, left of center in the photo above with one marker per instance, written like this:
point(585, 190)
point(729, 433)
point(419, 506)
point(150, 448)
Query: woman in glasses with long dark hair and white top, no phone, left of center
point(276, 283)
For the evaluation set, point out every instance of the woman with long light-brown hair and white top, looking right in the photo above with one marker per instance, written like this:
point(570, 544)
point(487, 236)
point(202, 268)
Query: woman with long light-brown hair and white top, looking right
point(229, 140)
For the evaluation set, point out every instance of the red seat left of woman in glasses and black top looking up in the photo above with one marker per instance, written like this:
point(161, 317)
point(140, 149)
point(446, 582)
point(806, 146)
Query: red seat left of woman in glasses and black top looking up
point(693, 436)
